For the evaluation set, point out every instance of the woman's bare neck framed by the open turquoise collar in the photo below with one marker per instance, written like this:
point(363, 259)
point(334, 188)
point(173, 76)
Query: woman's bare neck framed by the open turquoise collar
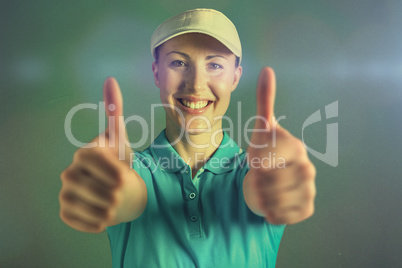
point(194, 149)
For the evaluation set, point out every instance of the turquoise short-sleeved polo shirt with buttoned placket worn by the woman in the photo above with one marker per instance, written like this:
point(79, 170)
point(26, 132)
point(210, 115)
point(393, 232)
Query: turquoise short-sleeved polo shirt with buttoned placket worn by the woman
point(200, 222)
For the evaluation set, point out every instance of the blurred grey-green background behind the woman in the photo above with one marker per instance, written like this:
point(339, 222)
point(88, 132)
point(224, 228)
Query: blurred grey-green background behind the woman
point(55, 55)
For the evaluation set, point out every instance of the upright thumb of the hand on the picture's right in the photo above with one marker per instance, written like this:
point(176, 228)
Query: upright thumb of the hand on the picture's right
point(266, 89)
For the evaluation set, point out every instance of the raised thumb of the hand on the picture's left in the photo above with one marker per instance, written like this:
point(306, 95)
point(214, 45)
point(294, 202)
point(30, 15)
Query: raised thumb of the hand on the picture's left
point(116, 131)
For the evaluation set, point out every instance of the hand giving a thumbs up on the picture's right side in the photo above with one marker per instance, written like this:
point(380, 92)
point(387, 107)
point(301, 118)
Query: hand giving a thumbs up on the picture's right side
point(281, 191)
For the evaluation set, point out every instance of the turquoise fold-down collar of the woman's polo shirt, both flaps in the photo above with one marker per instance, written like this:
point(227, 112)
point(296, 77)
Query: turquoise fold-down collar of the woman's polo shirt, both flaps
point(223, 160)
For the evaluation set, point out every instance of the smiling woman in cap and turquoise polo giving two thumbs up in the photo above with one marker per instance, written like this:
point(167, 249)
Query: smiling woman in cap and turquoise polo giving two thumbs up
point(212, 204)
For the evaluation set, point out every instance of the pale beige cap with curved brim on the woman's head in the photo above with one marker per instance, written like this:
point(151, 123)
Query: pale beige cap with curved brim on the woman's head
point(200, 20)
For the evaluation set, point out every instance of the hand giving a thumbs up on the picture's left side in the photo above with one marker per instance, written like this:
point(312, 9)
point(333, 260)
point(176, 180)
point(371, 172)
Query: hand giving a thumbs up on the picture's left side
point(100, 188)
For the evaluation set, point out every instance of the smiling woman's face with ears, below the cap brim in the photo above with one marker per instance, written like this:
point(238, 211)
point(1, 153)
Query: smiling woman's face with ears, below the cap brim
point(196, 75)
